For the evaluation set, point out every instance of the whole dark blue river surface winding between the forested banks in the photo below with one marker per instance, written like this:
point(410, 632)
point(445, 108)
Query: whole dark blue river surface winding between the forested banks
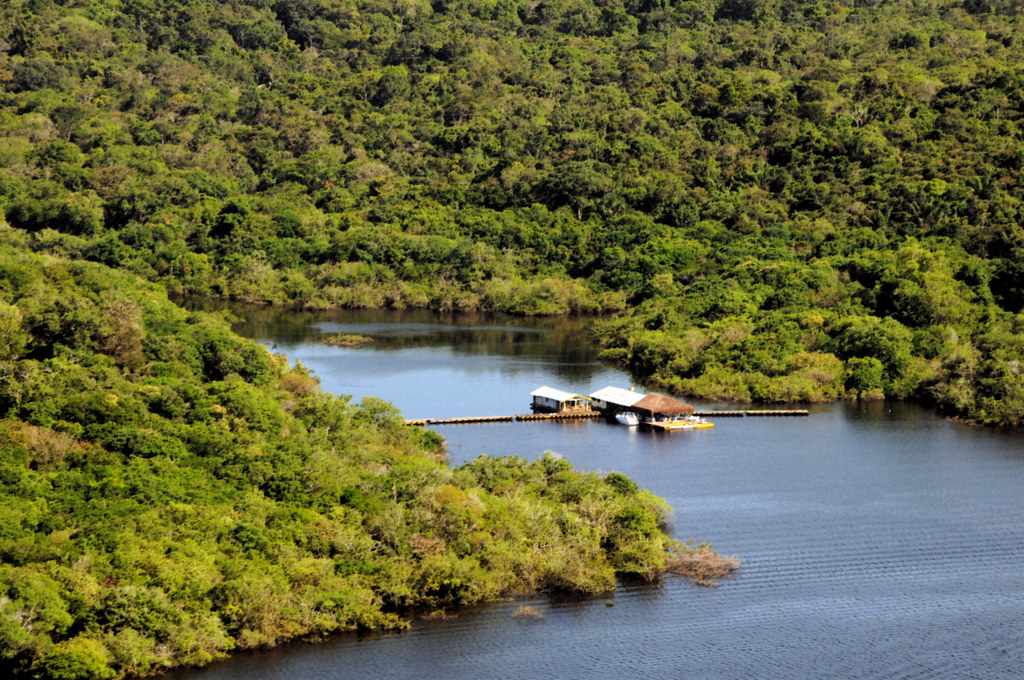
point(877, 540)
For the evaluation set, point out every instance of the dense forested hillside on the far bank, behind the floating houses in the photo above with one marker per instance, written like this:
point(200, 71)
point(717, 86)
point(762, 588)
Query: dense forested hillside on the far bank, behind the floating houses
point(784, 199)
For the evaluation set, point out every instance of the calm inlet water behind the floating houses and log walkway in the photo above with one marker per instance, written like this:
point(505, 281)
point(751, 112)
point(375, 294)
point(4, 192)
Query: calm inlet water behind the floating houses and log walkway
point(434, 367)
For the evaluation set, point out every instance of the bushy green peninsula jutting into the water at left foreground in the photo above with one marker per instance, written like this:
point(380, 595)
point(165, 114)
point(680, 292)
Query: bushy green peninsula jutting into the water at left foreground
point(173, 493)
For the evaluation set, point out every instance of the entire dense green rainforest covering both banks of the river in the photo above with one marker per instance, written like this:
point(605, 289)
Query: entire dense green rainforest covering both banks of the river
point(764, 200)
